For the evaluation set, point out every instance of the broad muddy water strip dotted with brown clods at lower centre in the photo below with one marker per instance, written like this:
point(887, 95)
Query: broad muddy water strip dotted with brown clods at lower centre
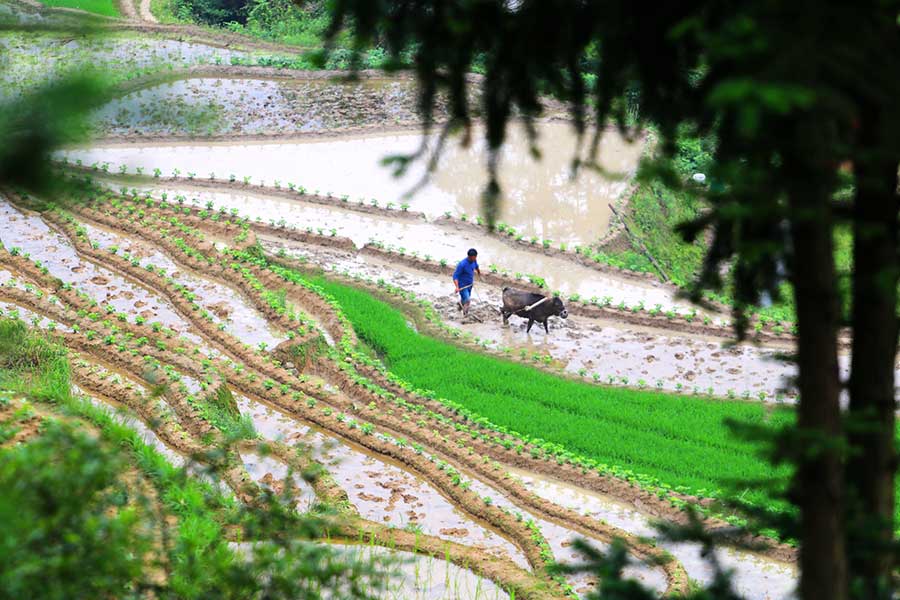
point(381, 491)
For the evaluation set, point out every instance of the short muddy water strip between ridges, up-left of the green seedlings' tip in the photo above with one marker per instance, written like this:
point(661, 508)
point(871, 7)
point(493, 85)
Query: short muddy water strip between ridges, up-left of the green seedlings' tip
point(225, 304)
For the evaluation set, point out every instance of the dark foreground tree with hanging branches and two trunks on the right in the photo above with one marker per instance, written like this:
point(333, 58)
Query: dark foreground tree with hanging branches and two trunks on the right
point(790, 91)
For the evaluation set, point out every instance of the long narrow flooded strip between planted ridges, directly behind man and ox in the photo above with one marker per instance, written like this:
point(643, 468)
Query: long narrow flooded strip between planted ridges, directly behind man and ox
point(440, 242)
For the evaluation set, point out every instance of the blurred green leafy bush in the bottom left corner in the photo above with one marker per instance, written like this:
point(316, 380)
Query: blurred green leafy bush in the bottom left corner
point(67, 520)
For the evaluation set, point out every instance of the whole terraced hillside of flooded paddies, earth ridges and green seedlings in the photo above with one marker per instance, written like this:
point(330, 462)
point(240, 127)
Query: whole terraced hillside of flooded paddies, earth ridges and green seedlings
point(313, 330)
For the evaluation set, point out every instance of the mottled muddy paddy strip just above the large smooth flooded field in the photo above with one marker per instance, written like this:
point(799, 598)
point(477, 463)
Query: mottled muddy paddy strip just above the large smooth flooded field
point(255, 106)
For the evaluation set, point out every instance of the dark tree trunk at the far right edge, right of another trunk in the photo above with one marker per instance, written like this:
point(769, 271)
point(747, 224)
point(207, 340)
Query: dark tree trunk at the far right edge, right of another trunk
point(871, 420)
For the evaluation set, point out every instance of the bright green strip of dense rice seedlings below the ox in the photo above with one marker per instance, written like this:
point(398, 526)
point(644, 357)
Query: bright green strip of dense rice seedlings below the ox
point(680, 440)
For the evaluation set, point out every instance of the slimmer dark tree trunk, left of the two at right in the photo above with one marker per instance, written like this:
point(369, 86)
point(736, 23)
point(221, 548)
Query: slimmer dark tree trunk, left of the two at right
point(818, 483)
